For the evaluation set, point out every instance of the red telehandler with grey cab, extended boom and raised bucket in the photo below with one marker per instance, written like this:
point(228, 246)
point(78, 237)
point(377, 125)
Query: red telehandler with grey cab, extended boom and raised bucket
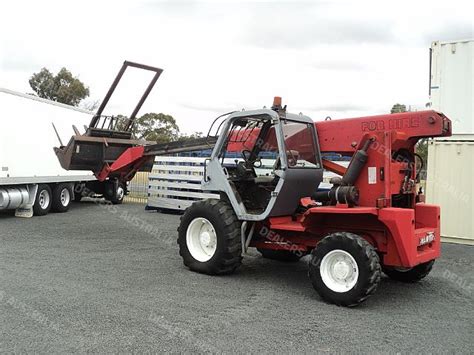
point(371, 220)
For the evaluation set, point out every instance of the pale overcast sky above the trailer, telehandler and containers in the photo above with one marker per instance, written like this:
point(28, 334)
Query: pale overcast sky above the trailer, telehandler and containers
point(336, 58)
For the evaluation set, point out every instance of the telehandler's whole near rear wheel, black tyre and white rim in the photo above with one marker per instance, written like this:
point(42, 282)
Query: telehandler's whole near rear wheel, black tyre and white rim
point(344, 269)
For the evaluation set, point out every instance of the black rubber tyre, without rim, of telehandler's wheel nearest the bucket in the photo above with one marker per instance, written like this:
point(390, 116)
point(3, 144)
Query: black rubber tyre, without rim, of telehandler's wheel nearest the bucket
point(228, 252)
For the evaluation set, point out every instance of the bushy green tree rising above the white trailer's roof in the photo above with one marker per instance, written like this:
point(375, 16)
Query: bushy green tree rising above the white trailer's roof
point(62, 87)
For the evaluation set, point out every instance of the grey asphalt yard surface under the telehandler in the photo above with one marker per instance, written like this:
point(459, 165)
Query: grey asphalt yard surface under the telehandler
point(109, 279)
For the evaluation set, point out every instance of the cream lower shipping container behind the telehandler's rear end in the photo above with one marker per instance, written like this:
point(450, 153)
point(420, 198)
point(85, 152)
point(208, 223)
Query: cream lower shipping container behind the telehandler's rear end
point(450, 184)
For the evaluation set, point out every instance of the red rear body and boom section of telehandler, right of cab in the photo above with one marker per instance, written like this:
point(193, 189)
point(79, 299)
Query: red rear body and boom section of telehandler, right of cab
point(404, 236)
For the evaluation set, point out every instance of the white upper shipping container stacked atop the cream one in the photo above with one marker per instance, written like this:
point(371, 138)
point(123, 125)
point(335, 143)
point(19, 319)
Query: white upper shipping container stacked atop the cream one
point(452, 82)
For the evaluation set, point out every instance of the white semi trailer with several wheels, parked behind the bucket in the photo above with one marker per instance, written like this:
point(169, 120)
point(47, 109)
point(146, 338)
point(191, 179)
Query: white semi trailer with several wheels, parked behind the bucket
point(32, 182)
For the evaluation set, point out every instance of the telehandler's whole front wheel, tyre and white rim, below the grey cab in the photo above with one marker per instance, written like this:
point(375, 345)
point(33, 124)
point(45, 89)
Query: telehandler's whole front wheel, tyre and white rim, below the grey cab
point(209, 238)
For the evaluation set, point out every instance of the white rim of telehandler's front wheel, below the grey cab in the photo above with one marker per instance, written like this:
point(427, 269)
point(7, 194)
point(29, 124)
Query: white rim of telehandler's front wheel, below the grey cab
point(201, 239)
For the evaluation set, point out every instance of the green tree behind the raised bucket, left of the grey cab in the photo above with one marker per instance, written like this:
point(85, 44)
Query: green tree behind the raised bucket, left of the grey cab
point(156, 127)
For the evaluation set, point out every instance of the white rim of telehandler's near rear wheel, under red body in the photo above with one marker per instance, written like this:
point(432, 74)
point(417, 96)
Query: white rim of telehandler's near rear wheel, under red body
point(339, 271)
